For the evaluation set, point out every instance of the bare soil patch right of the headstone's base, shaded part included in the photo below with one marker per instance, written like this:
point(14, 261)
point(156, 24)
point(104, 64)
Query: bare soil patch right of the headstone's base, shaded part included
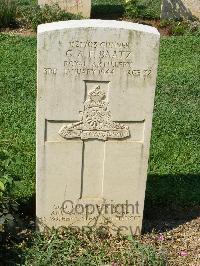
point(175, 233)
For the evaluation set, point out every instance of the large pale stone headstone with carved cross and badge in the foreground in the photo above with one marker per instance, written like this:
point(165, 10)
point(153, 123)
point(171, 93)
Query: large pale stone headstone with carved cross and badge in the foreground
point(96, 85)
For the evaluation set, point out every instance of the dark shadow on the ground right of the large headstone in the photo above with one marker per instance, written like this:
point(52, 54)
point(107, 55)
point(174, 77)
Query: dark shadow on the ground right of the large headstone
point(171, 200)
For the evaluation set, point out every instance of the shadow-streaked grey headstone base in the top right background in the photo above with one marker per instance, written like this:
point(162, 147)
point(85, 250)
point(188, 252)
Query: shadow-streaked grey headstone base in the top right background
point(175, 9)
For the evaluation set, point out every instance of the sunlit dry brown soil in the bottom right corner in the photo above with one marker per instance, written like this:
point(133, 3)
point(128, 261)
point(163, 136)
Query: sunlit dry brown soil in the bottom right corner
point(181, 245)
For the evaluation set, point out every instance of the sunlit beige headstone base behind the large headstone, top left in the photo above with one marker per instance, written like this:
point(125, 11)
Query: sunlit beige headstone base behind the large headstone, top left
point(82, 7)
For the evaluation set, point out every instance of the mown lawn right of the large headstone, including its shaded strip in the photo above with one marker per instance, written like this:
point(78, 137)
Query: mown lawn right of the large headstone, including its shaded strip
point(175, 147)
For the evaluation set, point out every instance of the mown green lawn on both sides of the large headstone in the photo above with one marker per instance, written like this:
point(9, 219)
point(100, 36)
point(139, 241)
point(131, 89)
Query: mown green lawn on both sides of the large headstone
point(175, 155)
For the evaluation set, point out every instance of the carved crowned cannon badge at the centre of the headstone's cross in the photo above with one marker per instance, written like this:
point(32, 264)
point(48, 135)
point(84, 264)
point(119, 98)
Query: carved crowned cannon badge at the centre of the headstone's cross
point(96, 122)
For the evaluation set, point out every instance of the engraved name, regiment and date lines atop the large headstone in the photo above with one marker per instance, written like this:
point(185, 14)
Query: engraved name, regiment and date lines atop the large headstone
point(93, 58)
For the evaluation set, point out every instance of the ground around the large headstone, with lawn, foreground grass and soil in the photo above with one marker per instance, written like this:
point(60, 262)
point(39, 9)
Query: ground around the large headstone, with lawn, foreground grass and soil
point(172, 205)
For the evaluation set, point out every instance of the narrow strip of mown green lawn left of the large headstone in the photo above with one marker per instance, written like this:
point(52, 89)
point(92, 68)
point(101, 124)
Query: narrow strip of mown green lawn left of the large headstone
point(17, 112)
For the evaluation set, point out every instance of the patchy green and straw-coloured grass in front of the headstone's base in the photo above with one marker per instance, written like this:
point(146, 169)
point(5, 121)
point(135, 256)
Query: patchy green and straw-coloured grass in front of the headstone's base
point(71, 247)
